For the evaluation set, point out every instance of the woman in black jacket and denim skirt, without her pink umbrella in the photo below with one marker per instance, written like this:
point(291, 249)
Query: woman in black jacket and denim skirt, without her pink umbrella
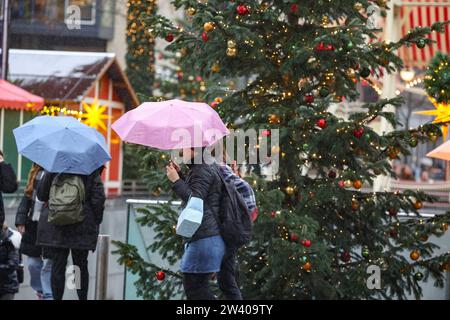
point(203, 252)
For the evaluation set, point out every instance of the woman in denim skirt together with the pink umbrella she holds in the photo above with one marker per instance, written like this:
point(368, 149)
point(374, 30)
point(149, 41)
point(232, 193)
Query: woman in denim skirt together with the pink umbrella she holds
point(189, 126)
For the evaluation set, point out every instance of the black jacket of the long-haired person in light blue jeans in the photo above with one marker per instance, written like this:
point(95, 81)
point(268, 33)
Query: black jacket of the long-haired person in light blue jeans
point(24, 216)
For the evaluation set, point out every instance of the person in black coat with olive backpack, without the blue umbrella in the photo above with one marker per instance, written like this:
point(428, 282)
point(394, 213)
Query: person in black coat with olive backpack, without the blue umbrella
point(77, 238)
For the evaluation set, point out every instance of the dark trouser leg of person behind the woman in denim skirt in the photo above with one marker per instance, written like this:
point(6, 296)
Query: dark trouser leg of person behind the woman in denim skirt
point(227, 275)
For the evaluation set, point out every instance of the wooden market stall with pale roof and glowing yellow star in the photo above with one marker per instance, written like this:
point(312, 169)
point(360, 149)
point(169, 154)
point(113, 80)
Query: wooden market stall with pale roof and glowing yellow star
point(90, 86)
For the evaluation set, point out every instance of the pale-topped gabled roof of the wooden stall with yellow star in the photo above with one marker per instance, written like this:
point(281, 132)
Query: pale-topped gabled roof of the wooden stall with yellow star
point(67, 75)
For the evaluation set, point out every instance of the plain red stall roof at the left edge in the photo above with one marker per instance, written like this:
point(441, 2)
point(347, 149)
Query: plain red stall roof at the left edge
point(13, 97)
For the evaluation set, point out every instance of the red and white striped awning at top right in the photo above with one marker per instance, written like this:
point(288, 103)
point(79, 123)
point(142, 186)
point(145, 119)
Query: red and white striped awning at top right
point(420, 16)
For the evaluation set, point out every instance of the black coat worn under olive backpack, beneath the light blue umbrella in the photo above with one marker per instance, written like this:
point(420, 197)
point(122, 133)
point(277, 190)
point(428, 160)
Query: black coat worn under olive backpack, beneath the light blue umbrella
point(83, 235)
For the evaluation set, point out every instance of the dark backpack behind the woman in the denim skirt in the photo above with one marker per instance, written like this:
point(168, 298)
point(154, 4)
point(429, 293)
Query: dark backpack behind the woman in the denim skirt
point(234, 218)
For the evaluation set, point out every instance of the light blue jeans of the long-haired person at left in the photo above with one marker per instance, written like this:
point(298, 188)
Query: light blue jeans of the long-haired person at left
point(40, 275)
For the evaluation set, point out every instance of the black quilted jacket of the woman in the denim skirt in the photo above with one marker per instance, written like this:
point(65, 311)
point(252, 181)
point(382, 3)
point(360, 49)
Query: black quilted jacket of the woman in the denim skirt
point(202, 181)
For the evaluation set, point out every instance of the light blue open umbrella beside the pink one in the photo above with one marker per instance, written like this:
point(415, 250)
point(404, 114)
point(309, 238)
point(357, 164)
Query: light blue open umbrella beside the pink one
point(62, 145)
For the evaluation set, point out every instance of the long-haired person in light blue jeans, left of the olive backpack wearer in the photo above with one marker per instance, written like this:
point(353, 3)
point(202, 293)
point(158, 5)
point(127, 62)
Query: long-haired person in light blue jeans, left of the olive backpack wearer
point(27, 217)
